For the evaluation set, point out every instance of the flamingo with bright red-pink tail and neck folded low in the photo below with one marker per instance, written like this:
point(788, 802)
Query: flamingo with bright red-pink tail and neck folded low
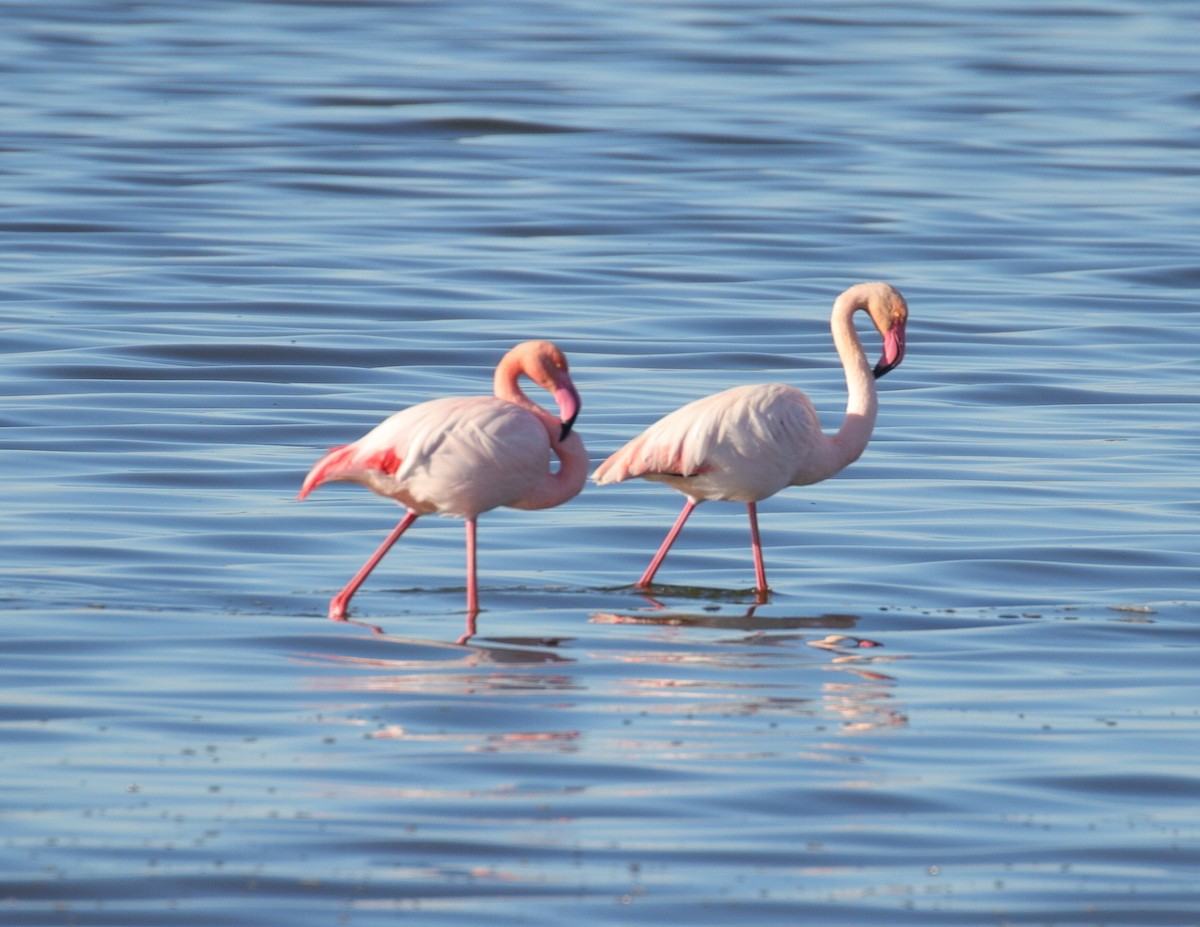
point(461, 457)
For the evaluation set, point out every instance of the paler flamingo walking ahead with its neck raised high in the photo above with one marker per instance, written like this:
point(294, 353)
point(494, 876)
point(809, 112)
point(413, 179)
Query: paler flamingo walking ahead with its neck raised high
point(748, 444)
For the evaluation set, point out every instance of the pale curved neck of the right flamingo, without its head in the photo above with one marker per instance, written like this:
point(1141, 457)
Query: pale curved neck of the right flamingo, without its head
point(862, 402)
